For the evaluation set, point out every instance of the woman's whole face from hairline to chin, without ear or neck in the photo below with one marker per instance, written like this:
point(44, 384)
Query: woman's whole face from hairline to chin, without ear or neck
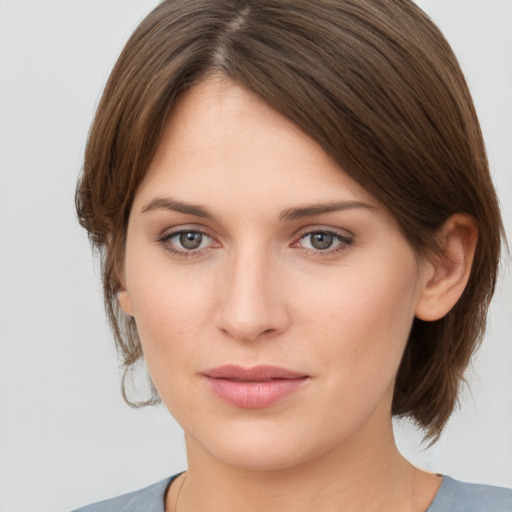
point(272, 294)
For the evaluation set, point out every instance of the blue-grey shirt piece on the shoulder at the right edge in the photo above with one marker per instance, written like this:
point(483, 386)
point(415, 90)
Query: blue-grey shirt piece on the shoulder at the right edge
point(455, 496)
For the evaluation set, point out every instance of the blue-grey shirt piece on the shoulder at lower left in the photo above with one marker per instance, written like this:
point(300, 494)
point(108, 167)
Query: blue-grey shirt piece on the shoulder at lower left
point(149, 499)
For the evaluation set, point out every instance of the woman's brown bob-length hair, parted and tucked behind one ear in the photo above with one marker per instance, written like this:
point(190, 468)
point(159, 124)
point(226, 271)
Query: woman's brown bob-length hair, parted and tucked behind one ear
point(375, 83)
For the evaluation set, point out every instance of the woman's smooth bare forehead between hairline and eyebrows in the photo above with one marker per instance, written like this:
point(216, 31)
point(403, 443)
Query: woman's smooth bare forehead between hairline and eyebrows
point(222, 140)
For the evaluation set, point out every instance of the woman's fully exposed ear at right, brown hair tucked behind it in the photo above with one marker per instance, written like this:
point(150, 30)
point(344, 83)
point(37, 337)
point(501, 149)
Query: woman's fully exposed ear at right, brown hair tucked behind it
point(447, 273)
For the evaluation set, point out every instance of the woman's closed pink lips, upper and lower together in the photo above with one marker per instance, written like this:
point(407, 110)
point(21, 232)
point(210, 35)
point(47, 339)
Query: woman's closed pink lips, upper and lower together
point(253, 388)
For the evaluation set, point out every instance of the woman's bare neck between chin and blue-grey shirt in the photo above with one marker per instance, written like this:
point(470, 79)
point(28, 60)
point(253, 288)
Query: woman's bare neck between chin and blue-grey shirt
point(365, 474)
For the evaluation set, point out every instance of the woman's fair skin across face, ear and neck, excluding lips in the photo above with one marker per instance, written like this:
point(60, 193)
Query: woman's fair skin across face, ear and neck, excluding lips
point(258, 291)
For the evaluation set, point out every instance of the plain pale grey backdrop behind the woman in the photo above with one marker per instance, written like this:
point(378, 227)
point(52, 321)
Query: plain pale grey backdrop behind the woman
point(66, 437)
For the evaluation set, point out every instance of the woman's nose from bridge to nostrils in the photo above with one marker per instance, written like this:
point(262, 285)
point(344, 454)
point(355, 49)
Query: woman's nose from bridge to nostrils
point(252, 303)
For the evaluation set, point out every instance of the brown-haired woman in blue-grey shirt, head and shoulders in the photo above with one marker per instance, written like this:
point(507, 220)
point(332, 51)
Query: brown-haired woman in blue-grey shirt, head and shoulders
point(300, 238)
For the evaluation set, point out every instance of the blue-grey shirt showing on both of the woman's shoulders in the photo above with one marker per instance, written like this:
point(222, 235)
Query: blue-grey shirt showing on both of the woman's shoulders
point(453, 496)
